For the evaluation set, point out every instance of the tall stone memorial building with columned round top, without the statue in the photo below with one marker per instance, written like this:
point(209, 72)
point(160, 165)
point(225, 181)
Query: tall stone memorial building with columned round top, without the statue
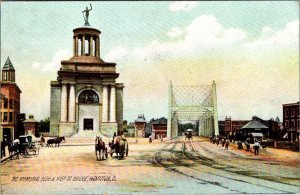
point(85, 96)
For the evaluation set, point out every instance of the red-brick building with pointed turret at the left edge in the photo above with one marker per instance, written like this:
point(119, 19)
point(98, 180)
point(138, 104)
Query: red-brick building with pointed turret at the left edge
point(10, 102)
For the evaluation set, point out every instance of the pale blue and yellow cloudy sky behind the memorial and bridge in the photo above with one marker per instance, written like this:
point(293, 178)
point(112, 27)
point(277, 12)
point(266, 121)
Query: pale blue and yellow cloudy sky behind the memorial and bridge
point(250, 49)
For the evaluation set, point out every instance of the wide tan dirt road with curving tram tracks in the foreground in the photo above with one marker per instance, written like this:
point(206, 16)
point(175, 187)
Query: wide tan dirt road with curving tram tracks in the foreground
point(170, 167)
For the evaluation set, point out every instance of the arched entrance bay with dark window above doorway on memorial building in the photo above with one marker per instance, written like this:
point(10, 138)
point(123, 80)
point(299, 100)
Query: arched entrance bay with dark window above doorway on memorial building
point(88, 110)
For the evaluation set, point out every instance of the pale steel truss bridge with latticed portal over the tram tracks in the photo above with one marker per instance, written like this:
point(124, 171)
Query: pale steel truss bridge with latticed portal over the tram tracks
point(193, 103)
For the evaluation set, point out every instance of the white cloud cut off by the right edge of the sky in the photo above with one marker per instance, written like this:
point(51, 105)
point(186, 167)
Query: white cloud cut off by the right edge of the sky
point(289, 36)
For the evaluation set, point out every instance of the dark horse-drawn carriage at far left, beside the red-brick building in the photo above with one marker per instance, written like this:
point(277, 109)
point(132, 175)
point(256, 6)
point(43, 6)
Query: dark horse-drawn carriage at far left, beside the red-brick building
point(27, 146)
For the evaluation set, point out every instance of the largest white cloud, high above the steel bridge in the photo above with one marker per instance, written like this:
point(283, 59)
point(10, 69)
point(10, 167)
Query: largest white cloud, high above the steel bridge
point(203, 34)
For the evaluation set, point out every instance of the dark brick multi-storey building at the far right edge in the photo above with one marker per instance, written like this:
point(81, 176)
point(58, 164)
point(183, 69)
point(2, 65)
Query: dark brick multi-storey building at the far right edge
point(291, 120)
